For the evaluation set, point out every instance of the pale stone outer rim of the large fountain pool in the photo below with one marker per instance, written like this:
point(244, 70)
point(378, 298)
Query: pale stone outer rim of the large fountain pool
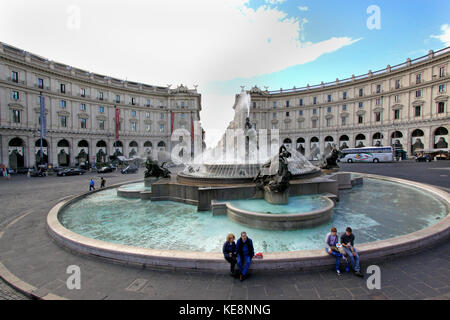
point(292, 260)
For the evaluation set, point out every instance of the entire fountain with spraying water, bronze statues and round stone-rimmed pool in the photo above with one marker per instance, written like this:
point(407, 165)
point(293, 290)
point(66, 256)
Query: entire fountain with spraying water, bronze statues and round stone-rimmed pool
point(280, 198)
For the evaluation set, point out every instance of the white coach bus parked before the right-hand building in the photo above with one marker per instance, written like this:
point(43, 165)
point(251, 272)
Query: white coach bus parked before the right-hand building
point(368, 154)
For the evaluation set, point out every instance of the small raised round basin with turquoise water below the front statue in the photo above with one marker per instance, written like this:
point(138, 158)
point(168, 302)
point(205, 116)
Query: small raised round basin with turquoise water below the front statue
point(301, 212)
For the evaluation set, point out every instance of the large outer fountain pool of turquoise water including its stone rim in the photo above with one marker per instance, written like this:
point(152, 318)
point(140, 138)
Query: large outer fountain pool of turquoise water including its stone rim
point(389, 217)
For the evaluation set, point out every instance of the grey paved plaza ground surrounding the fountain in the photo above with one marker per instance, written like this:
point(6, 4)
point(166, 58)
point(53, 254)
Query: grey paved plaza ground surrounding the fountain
point(29, 253)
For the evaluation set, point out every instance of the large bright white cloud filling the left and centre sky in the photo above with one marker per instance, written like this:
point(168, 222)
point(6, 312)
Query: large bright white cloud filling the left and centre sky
point(166, 42)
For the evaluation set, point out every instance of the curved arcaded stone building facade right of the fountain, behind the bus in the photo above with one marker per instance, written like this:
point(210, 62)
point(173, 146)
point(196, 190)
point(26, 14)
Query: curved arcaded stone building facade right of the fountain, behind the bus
point(404, 105)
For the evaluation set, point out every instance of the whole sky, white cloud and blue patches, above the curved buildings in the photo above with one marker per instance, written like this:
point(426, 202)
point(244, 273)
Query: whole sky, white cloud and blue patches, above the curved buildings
point(221, 45)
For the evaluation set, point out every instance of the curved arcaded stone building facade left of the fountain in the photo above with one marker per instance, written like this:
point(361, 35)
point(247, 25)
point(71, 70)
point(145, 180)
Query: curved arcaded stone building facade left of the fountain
point(80, 113)
